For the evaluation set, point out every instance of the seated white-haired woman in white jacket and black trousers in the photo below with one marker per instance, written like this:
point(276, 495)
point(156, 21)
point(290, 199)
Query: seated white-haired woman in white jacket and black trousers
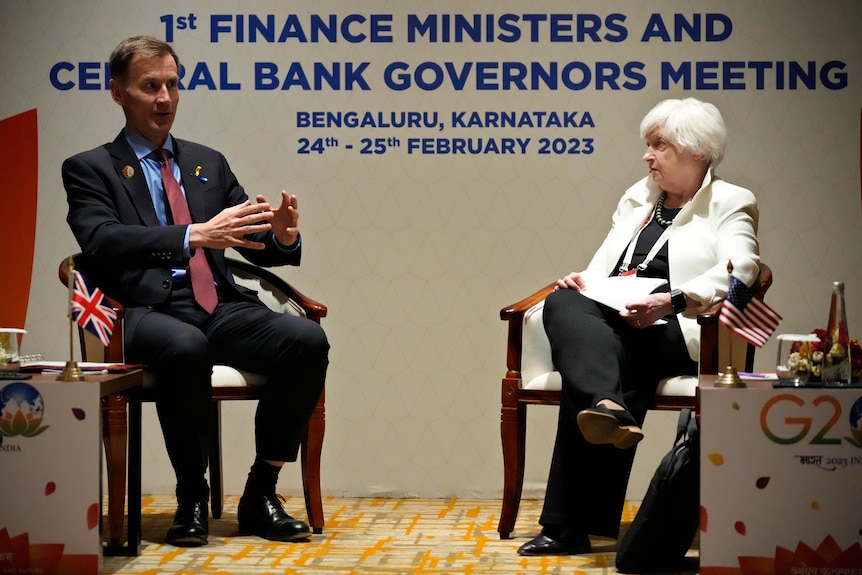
point(680, 223)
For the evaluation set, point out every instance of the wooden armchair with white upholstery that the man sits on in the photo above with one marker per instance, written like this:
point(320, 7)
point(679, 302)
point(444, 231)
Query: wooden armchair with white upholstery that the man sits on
point(228, 384)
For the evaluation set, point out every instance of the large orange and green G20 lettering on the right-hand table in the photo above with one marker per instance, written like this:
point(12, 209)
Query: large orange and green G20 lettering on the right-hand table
point(826, 434)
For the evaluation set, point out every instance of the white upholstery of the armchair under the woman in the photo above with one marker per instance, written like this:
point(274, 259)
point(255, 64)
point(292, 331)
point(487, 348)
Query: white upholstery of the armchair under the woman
point(537, 368)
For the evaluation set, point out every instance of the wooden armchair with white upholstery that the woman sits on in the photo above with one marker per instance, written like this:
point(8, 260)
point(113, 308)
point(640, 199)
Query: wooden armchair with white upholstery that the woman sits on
point(532, 380)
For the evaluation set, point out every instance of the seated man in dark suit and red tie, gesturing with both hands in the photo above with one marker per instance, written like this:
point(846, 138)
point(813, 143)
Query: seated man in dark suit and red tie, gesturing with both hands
point(140, 248)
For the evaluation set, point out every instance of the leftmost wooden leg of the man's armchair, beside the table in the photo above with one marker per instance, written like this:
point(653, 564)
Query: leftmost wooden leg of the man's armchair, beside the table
point(115, 438)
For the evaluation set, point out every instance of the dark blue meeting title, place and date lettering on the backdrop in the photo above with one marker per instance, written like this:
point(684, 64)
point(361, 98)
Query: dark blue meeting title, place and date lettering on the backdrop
point(374, 55)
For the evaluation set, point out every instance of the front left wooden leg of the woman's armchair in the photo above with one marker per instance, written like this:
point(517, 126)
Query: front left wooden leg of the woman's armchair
point(513, 433)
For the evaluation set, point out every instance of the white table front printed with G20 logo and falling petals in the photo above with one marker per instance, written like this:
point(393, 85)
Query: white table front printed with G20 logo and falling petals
point(780, 477)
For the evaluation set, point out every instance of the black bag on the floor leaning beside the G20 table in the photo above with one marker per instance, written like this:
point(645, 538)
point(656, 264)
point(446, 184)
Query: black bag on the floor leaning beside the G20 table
point(667, 521)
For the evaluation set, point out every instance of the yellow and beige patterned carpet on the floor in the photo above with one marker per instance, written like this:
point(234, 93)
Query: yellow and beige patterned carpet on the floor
point(368, 536)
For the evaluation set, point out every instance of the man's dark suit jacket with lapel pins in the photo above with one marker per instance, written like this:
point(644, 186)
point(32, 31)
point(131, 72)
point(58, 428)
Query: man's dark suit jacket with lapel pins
point(125, 250)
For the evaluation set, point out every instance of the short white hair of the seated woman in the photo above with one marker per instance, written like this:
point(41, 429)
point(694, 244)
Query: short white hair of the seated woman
point(690, 125)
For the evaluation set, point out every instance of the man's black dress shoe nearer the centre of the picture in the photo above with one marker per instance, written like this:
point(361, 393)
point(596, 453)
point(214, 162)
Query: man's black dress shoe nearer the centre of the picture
point(263, 515)
